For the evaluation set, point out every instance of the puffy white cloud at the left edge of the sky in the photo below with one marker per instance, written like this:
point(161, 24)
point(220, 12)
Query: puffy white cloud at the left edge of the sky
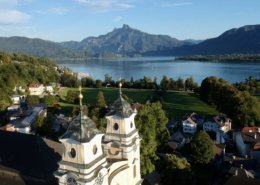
point(13, 17)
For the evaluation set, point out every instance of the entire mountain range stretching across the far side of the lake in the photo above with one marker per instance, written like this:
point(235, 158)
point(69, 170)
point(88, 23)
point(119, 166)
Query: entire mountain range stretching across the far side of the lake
point(127, 41)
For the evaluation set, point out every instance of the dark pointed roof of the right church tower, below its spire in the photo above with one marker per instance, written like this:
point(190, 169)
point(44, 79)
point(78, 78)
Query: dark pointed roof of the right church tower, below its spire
point(120, 108)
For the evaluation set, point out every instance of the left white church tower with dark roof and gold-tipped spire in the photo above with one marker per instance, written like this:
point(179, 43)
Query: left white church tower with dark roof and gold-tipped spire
point(83, 161)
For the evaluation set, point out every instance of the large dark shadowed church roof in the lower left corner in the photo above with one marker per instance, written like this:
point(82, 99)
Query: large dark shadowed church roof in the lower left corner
point(29, 155)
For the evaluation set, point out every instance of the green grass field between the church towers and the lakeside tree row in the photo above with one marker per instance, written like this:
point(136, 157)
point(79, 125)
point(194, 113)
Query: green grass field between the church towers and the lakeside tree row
point(176, 104)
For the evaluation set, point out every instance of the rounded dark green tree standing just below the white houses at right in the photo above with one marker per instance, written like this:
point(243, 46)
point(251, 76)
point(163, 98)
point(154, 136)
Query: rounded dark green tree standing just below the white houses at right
point(201, 149)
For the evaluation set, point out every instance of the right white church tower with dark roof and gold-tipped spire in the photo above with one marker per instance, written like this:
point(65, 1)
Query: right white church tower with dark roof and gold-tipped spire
point(122, 141)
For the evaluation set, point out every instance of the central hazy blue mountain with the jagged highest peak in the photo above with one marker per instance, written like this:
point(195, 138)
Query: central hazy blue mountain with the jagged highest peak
point(126, 40)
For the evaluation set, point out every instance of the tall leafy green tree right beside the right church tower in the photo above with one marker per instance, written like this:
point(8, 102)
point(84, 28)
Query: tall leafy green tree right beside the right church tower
point(151, 123)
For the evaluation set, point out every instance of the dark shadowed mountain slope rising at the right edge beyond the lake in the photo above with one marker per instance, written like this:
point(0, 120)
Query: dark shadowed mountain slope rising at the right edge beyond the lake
point(243, 40)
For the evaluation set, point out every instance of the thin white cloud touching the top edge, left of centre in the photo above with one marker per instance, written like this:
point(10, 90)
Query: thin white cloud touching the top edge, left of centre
point(106, 5)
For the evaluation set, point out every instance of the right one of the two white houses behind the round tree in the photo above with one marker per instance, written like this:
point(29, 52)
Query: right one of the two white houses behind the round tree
point(220, 125)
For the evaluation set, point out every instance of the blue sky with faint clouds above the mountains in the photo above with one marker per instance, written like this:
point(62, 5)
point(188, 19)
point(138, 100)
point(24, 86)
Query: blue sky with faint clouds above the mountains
point(65, 20)
